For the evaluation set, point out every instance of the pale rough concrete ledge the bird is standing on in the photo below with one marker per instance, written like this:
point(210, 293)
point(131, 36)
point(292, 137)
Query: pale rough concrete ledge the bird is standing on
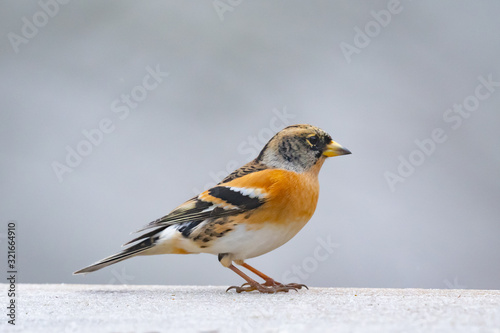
point(126, 308)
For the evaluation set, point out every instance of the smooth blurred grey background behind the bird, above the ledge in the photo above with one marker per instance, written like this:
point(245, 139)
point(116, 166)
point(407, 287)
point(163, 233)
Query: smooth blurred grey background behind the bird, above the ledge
point(238, 71)
